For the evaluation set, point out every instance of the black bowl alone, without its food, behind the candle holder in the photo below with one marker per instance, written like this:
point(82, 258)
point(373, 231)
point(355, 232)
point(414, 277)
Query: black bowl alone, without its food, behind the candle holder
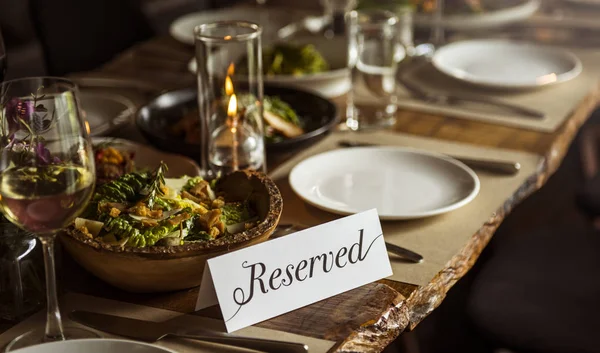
point(156, 118)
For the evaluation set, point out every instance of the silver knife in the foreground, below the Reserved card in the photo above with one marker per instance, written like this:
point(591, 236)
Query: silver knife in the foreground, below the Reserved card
point(149, 331)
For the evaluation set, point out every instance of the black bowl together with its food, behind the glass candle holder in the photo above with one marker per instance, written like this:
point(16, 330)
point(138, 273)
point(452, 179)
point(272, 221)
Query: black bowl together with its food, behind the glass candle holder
point(292, 117)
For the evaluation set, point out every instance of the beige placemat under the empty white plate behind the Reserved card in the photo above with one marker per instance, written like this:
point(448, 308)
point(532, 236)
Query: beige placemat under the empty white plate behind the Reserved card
point(438, 238)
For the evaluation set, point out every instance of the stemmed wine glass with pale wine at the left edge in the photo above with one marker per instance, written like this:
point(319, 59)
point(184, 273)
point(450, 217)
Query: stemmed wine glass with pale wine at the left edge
point(47, 176)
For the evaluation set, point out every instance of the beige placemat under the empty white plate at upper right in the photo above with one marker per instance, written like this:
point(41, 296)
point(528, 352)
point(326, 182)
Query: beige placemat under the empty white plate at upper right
point(557, 101)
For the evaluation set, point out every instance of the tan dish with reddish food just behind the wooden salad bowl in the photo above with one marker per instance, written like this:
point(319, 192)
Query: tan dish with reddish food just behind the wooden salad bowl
point(148, 158)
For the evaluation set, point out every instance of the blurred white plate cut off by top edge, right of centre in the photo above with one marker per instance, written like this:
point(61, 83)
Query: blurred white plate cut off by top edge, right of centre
point(500, 13)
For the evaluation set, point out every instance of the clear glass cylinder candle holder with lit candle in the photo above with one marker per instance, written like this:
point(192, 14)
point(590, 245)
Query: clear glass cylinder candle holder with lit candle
point(230, 96)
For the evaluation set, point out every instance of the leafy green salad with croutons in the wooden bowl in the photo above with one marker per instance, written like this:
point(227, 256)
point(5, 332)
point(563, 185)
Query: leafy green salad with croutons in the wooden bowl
point(143, 209)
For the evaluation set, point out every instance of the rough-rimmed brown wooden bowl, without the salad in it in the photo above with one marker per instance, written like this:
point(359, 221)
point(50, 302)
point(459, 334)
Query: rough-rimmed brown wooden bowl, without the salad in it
point(168, 268)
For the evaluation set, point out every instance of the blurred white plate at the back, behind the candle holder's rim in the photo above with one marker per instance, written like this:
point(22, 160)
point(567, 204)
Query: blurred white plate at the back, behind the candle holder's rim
point(270, 19)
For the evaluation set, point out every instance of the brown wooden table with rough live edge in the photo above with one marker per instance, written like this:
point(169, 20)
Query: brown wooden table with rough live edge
point(366, 319)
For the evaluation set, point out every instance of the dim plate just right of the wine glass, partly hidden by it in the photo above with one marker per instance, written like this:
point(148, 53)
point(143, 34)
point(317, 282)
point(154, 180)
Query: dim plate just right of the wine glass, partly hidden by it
point(105, 112)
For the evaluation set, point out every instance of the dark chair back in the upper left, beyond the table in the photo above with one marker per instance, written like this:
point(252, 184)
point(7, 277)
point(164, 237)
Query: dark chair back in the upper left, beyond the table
point(80, 35)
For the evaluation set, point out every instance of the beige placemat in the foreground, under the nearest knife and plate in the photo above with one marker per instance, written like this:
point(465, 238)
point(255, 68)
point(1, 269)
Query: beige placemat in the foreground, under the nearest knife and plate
point(74, 301)
